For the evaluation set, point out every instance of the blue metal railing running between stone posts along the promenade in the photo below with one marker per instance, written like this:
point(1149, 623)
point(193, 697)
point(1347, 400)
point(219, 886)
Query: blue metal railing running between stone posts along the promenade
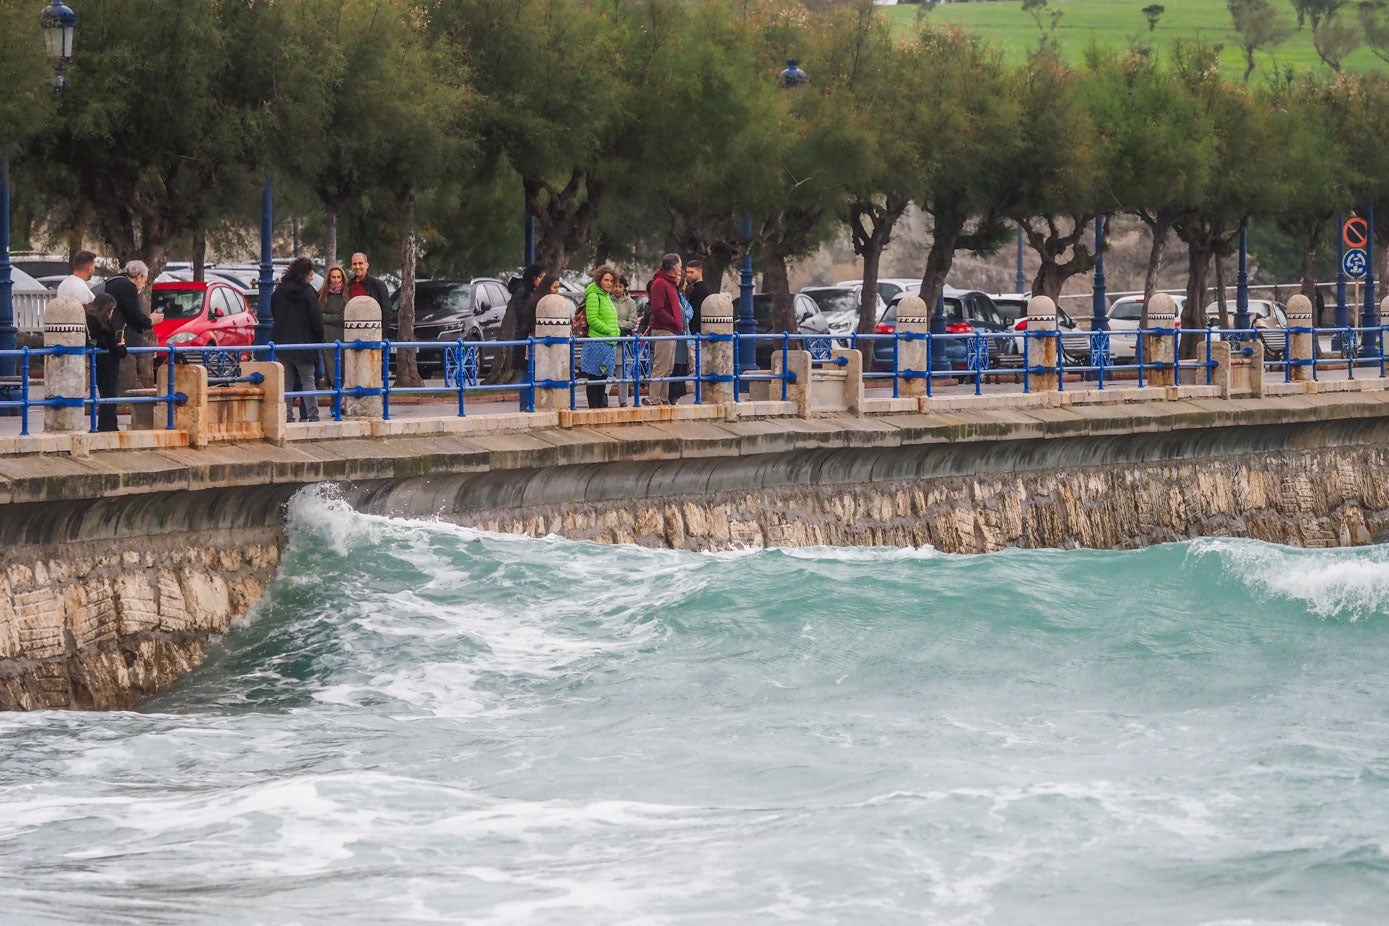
point(973, 360)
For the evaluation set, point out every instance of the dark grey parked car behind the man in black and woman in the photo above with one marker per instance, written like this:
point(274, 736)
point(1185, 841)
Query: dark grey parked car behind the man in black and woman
point(451, 310)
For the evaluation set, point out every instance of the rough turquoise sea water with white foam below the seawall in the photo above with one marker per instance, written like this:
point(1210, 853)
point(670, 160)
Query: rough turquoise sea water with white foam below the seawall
point(429, 724)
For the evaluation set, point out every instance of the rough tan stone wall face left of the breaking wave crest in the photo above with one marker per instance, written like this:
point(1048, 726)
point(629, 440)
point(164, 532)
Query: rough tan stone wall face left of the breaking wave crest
point(102, 624)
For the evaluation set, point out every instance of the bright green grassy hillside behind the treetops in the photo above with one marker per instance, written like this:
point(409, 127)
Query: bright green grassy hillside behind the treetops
point(1116, 24)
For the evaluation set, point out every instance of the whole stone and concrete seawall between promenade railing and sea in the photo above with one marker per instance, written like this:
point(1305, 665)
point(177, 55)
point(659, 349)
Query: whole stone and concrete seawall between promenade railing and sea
point(119, 566)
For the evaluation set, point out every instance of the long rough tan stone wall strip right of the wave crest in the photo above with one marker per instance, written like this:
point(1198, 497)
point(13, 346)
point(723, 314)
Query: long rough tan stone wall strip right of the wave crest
point(1311, 499)
